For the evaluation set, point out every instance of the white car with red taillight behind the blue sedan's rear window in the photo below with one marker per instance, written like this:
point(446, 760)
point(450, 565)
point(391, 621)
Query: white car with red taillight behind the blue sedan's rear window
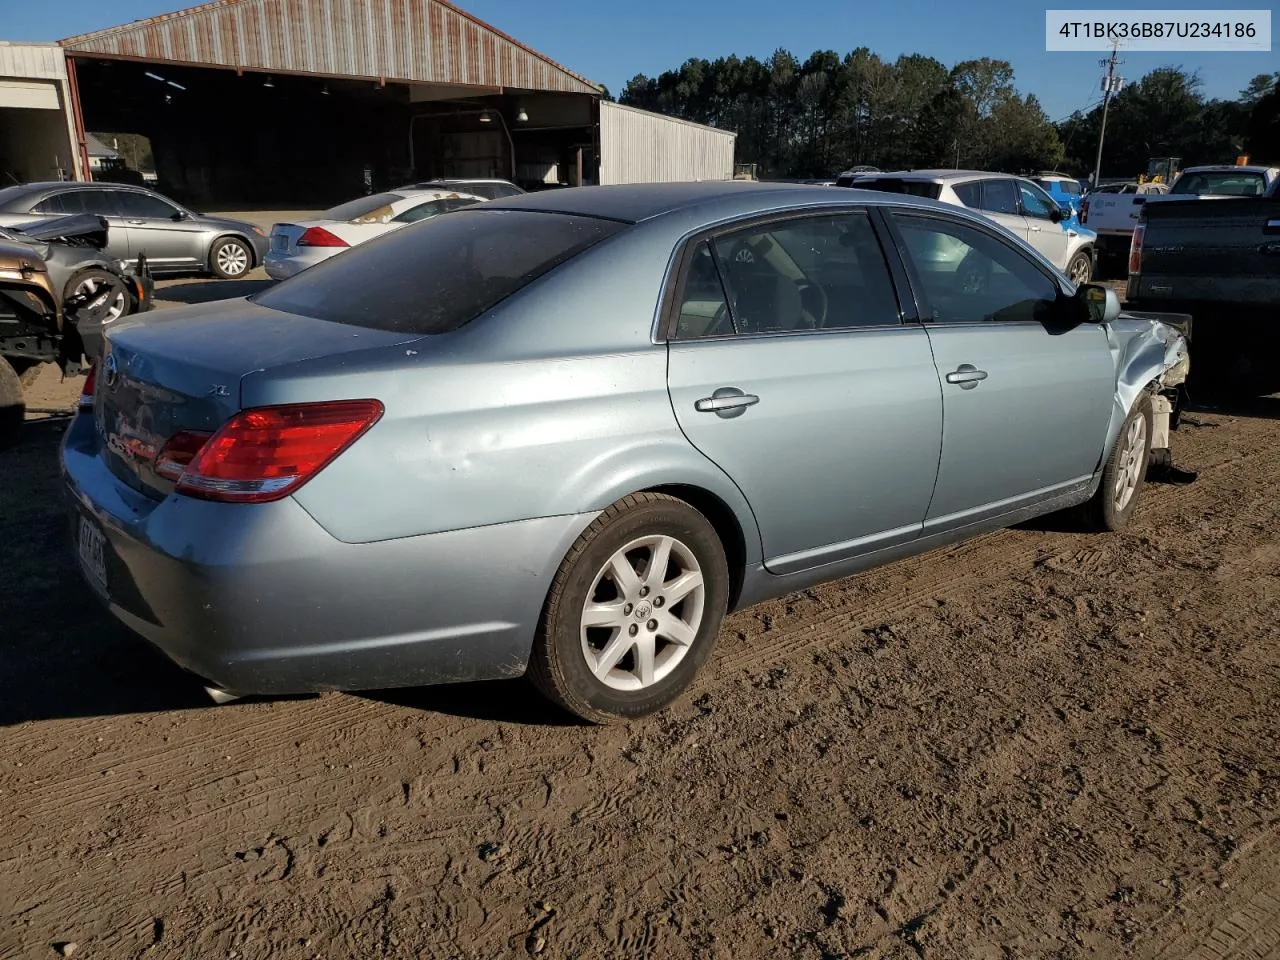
point(296, 246)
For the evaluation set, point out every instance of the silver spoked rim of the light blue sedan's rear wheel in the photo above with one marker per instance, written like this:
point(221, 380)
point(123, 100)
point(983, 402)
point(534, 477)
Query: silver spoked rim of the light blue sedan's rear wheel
point(643, 614)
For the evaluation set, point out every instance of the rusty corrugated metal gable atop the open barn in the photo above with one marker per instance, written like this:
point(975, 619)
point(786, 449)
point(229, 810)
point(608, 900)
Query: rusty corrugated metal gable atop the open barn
point(424, 42)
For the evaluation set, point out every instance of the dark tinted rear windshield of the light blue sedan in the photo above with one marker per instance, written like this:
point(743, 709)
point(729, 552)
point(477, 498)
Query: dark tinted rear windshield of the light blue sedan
point(437, 276)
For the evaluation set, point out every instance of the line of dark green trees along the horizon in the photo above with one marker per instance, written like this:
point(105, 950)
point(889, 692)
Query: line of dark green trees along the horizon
point(829, 113)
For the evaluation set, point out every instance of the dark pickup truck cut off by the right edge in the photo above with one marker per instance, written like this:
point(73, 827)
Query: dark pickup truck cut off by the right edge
point(1220, 263)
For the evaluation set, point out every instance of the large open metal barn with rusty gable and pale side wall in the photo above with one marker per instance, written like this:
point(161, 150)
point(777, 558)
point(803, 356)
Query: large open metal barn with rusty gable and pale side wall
point(304, 103)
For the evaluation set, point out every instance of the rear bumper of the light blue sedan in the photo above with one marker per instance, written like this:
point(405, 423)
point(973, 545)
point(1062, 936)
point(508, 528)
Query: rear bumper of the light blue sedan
point(260, 600)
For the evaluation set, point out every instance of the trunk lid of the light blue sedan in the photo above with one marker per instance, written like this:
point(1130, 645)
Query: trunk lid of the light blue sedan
point(182, 369)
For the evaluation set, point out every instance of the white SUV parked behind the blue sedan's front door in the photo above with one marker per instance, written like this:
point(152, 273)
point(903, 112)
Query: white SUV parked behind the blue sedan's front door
point(1016, 203)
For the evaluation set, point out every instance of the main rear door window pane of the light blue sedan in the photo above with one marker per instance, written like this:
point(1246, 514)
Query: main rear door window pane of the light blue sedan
point(817, 273)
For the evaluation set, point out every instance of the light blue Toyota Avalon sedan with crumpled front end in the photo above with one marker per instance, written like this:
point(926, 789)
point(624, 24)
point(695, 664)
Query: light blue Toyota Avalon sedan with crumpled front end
point(565, 433)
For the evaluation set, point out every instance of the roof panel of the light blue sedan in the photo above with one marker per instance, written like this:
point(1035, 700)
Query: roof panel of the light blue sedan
point(714, 200)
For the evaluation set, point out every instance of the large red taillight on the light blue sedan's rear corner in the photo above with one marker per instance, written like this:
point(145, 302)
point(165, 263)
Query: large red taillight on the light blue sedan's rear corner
point(269, 452)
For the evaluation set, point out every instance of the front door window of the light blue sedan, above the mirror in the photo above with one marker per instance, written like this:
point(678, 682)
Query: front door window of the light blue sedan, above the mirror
point(971, 277)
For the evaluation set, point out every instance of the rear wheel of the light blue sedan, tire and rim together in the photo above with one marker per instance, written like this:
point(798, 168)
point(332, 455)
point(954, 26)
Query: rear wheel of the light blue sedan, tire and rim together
point(644, 648)
